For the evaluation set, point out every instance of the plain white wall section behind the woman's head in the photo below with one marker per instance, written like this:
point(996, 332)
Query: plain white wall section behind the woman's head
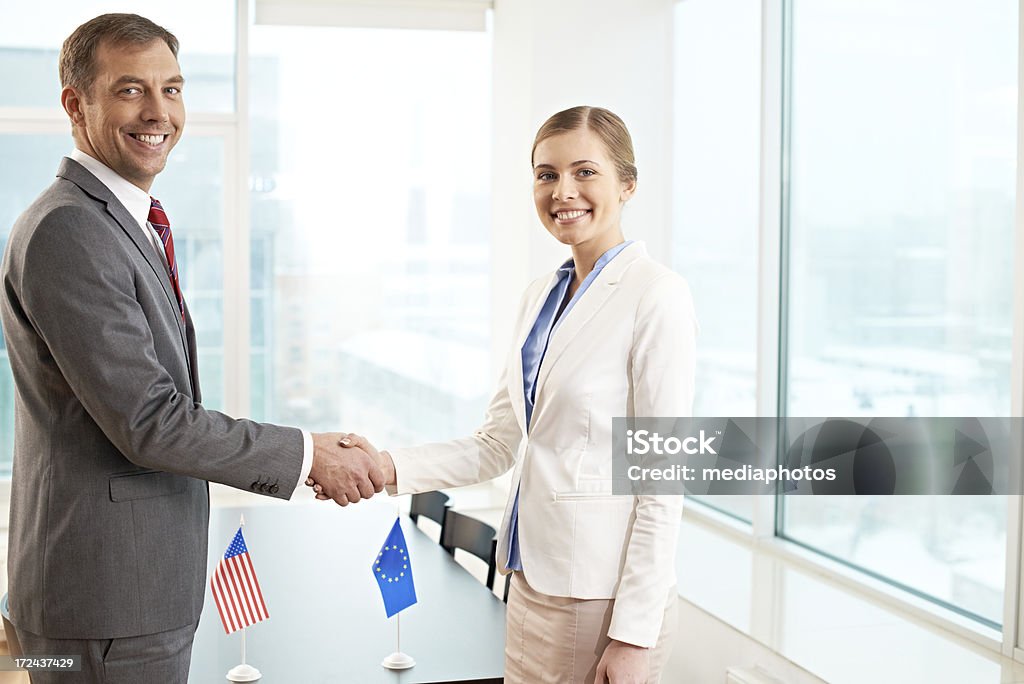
point(549, 56)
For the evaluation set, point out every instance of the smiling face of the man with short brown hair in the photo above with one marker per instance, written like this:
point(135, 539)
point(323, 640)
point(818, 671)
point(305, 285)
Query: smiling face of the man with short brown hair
point(135, 114)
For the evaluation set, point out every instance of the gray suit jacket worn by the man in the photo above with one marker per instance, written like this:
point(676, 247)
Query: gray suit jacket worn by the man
point(110, 503)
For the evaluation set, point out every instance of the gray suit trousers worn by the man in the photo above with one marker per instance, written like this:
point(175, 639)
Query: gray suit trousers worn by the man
point(162, 658)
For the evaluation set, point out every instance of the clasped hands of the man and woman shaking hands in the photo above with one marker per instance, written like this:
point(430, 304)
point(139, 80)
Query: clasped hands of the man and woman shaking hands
point(348, 468)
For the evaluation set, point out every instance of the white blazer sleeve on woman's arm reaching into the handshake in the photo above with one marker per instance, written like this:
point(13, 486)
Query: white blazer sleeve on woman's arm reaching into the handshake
point(488, 454)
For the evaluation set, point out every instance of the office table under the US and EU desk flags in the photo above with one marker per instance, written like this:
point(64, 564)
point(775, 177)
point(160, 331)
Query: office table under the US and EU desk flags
point(327, 618)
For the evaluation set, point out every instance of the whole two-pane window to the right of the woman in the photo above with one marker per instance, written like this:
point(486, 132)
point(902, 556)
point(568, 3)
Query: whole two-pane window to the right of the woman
point(897, 176)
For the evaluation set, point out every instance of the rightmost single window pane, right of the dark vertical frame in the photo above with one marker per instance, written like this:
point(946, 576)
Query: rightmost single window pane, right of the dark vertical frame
point(903, 163)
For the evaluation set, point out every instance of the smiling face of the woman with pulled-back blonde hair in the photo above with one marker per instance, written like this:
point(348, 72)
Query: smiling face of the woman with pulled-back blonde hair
point(578, 193)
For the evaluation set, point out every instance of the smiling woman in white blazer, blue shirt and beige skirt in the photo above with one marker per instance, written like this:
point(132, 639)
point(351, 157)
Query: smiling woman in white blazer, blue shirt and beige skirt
point(610, 334)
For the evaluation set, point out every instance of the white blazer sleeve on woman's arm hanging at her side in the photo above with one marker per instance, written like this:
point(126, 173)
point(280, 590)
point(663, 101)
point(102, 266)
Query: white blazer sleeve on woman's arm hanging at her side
point(662, 372)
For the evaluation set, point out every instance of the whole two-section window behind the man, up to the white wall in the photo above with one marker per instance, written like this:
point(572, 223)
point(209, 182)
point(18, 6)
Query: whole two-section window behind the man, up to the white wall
point(369, 221)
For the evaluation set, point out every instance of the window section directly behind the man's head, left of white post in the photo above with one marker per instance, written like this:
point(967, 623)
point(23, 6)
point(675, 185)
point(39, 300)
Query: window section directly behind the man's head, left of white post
point(35, 135)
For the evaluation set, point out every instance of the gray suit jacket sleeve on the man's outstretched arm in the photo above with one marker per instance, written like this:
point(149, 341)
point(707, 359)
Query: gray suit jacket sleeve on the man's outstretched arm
point(77, 289)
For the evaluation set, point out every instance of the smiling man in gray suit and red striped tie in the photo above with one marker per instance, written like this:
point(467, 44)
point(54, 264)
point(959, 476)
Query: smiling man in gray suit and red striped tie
point(113, 449)
